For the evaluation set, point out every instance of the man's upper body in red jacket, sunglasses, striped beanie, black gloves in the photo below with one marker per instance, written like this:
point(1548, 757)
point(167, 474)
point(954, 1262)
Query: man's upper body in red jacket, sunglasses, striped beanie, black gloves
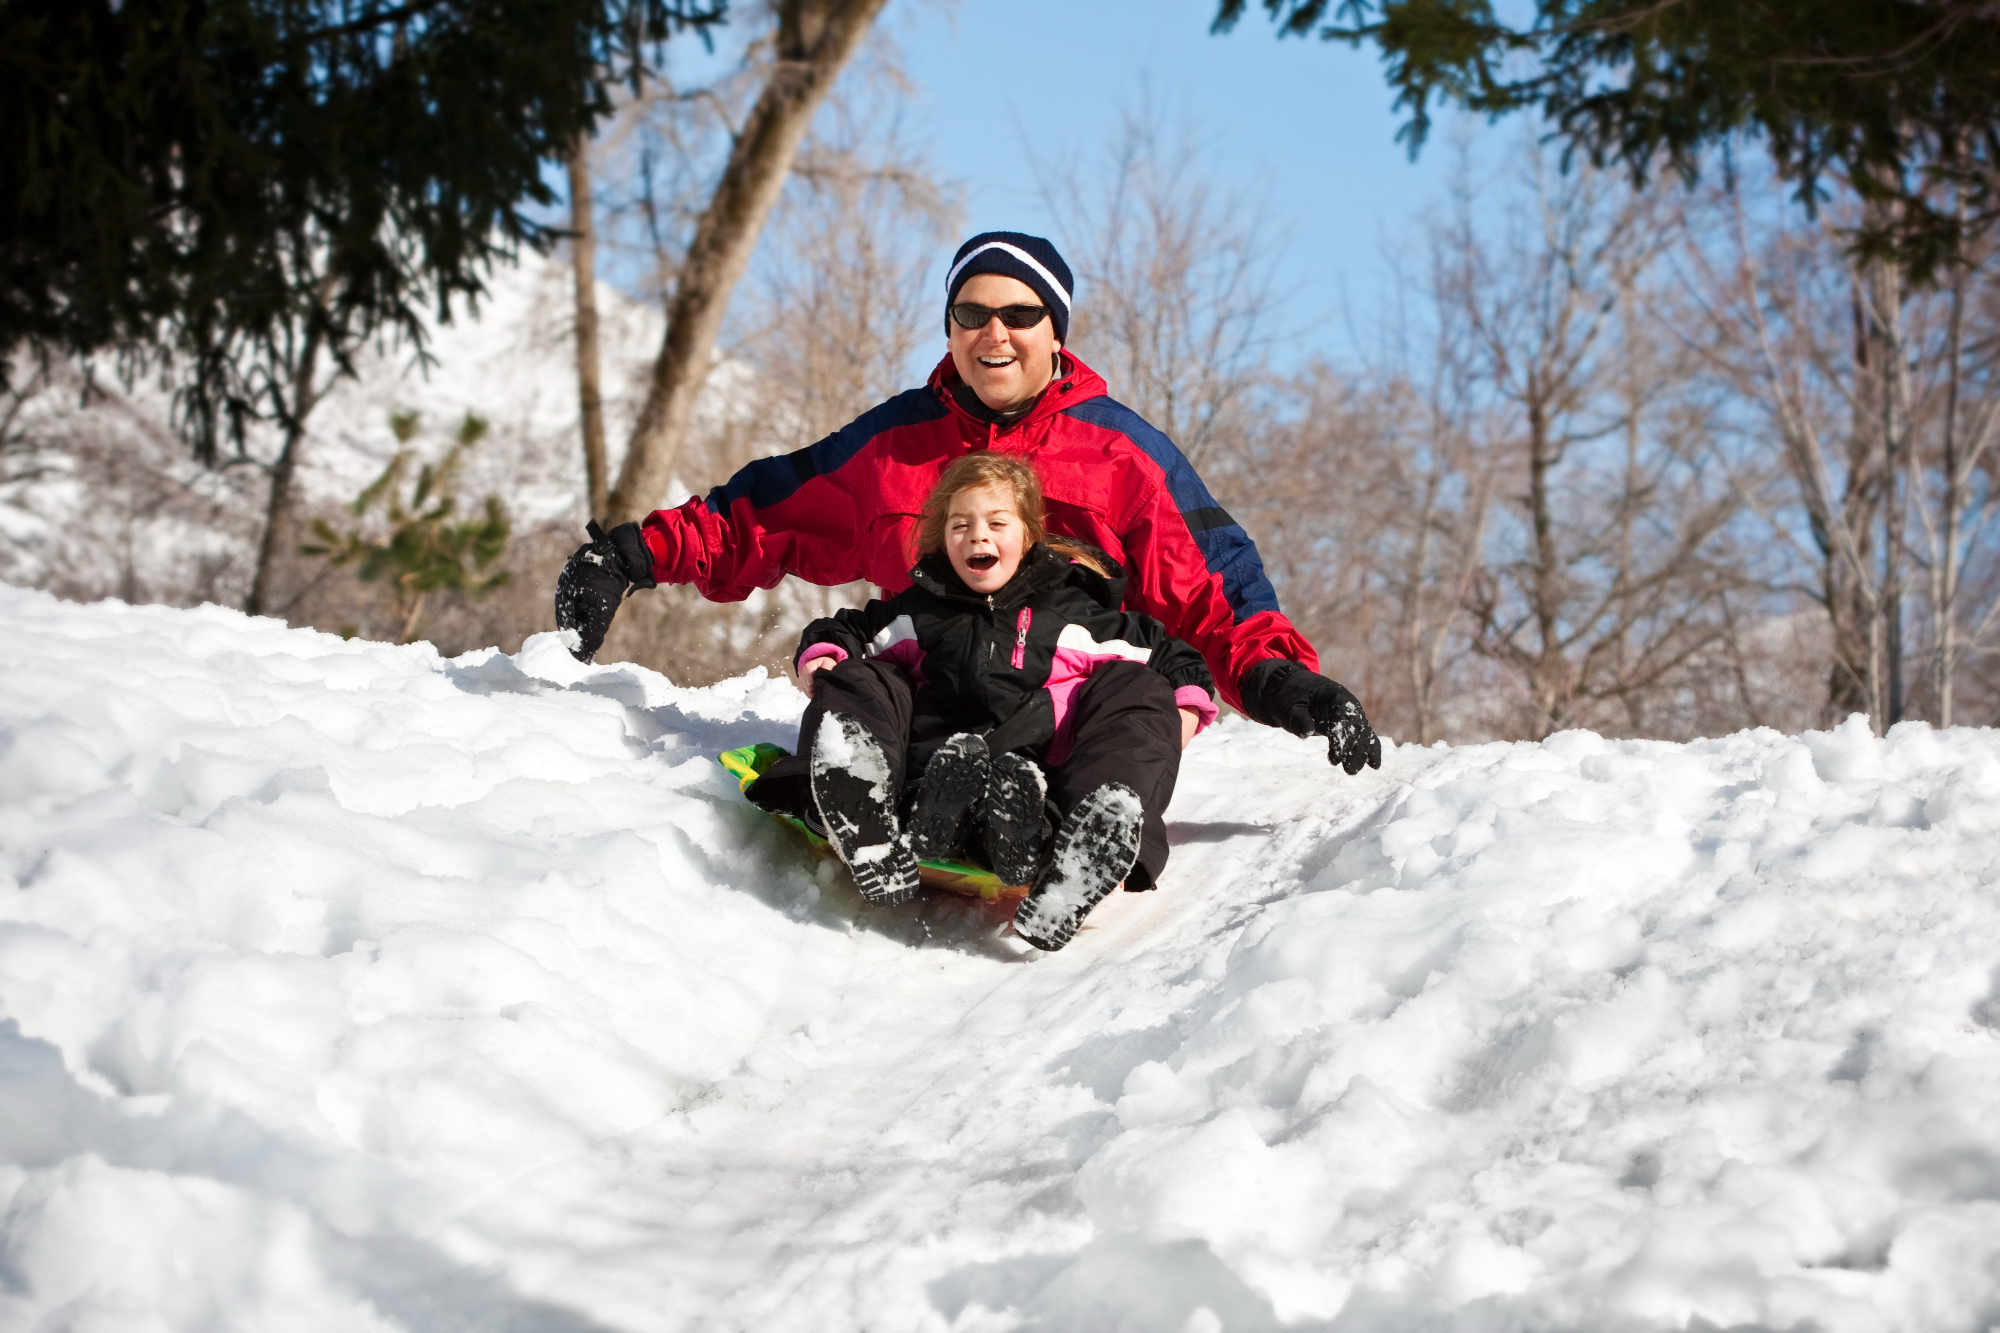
point(847, 507)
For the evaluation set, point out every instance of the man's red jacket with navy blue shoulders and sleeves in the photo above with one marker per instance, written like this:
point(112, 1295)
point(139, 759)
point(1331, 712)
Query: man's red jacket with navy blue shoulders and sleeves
point(849, 507)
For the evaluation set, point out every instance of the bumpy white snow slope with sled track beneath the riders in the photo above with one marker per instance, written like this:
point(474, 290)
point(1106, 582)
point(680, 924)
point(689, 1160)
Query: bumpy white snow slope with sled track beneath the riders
point(347, 988)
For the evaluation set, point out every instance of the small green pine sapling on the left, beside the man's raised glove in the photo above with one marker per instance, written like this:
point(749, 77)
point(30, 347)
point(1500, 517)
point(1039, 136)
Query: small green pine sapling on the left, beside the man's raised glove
point(429, 547)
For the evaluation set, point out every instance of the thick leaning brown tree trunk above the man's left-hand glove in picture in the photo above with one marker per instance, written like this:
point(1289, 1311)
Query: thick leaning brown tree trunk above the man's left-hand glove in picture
point(815, 43)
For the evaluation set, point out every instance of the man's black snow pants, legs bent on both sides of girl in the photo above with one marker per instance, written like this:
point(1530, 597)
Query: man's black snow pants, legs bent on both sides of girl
point(1125, 730)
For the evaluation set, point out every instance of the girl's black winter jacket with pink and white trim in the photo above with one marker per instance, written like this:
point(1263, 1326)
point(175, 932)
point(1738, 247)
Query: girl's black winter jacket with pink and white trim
point(1009, 663)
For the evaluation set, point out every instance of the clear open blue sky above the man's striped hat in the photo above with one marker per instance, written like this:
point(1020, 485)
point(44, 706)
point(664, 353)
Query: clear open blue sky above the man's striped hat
point(1307, 123)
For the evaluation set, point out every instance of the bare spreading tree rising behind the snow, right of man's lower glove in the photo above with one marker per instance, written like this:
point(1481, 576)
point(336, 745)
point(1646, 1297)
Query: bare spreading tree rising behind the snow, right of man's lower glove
point(1605, 585)
